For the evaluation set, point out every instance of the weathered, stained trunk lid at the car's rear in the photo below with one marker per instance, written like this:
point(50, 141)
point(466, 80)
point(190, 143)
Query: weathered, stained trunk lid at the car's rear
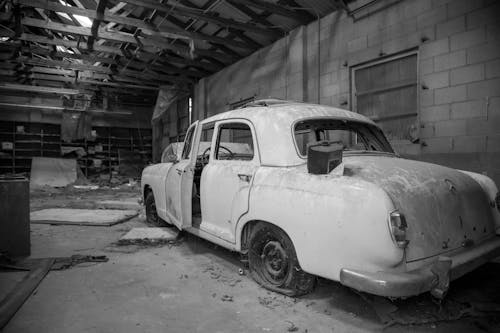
point(445, 209)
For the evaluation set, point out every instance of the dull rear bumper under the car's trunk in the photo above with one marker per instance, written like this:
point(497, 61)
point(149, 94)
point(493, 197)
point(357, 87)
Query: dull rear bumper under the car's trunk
point(434, 277)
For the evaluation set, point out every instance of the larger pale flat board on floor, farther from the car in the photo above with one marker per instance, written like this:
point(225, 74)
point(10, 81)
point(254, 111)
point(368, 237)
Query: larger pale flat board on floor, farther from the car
point(91, 217)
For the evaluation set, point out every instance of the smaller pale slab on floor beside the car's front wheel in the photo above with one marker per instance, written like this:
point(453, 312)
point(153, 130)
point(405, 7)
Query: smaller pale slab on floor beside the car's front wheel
point(149, 236)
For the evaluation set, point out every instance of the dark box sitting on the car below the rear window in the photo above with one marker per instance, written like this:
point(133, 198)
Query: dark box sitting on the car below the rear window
point(323, 157)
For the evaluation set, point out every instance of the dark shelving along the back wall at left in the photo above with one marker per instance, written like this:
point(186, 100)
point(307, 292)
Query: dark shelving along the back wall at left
point(101, 154)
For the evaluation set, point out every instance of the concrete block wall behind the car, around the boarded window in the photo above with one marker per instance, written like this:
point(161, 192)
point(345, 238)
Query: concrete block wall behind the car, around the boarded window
point(458, 43)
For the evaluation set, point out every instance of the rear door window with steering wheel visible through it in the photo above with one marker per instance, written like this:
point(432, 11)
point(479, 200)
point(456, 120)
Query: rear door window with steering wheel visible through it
point(234, 142)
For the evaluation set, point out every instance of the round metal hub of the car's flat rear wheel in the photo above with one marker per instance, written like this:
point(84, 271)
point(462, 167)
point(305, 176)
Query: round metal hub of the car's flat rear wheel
point(275, 262)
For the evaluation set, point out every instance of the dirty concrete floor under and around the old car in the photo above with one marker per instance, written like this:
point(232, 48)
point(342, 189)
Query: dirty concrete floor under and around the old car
point(194, 286)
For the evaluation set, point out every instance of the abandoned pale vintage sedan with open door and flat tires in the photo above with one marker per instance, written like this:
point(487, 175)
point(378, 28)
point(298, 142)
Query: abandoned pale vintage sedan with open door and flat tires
point(309, 190)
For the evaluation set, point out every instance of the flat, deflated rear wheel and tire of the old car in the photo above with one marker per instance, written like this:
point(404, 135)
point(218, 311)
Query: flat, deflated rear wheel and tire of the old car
point(273, 262)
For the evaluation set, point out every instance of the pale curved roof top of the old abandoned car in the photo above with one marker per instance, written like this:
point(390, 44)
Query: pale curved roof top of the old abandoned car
point(273, 110)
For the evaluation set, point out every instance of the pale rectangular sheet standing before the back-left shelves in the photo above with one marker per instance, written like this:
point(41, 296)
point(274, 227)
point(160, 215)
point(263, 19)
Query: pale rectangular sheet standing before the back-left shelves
point(55, 172)
